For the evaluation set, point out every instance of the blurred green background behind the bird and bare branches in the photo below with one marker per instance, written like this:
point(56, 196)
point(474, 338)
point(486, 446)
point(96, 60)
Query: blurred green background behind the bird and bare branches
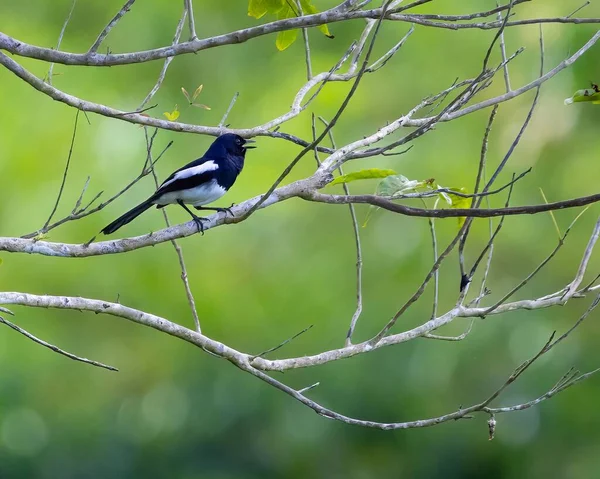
point(174, 411)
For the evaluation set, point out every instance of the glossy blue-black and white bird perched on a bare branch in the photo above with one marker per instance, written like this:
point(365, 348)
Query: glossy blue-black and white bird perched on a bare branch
point(198, 183)
